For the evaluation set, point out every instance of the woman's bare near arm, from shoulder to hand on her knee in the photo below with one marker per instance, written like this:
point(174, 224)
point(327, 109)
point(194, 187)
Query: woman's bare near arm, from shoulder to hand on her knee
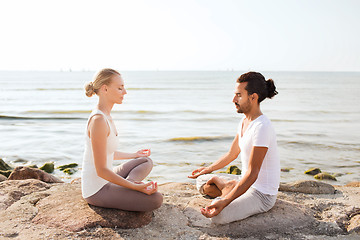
point(98, 131)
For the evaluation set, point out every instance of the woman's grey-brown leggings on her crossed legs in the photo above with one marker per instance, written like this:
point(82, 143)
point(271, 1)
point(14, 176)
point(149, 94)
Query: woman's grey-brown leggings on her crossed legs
point(114, 196)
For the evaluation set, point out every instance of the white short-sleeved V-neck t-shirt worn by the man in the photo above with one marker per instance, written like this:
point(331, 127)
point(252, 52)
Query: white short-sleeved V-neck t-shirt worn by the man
point(260, 133)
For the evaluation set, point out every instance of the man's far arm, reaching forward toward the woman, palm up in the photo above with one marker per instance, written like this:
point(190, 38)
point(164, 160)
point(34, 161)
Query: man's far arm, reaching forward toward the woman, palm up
point(230, 156)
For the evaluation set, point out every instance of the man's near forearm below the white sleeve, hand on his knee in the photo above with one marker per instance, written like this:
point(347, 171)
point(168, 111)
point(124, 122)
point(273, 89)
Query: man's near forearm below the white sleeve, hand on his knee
point(256, 158)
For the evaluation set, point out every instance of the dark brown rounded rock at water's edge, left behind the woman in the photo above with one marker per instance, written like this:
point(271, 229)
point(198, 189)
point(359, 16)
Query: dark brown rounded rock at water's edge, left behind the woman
point(21, 173)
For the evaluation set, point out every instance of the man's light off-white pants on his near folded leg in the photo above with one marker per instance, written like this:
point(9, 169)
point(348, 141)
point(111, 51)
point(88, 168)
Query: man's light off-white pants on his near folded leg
point(248, 204)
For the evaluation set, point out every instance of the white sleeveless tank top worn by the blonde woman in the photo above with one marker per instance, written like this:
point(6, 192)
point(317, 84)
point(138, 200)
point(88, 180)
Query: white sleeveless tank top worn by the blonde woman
point(91, 183)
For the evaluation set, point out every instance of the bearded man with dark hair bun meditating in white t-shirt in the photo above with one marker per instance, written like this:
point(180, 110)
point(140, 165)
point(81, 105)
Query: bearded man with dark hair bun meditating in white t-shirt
point(256, 190)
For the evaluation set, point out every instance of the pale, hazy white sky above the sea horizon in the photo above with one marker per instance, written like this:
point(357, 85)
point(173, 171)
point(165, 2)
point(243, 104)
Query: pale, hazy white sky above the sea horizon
point(165, 35)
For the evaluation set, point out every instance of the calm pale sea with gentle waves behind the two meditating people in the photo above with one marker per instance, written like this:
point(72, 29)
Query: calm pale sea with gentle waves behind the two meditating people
point(186, 118)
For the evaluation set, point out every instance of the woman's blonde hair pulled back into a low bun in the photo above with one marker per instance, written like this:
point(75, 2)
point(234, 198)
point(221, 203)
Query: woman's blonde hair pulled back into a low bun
point(102, 77)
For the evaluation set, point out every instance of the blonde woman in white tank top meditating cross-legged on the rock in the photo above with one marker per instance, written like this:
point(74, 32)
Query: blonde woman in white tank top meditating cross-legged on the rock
point(121, 187)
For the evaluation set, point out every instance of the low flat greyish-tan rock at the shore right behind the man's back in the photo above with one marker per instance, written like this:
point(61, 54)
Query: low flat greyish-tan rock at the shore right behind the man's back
point(306, 186)
